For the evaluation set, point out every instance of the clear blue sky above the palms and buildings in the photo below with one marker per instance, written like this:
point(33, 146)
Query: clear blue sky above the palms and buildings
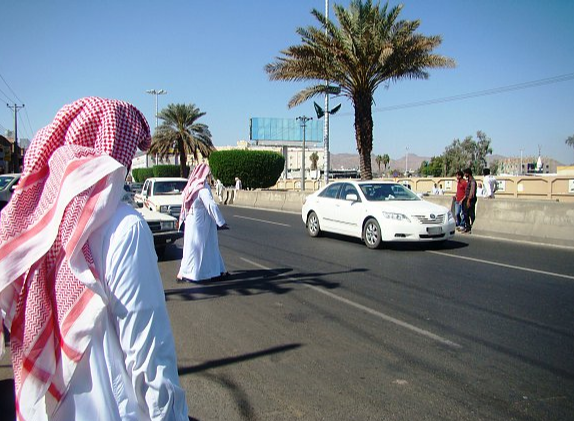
point(212, 54)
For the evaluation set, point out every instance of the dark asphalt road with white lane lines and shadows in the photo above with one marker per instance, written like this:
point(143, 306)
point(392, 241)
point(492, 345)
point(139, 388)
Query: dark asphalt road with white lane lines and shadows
point(326, 329)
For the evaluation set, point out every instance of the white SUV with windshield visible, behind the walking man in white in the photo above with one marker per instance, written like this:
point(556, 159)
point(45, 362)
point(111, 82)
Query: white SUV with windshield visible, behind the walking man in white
point(162, 194)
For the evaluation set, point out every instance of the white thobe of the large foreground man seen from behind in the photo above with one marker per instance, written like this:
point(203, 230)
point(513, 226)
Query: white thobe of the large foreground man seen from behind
point(129, 371)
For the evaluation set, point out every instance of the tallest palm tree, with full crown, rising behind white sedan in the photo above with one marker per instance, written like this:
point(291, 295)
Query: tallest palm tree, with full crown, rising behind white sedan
point(371, 47)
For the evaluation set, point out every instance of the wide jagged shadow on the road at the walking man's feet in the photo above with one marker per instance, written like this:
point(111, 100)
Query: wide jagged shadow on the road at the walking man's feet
point(252, 282)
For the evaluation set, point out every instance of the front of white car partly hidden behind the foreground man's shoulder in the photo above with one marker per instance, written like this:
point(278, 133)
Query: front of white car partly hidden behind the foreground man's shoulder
point(163, 227)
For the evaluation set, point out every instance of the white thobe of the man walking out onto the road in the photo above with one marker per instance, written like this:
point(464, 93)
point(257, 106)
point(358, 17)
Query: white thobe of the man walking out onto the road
point(201, 256)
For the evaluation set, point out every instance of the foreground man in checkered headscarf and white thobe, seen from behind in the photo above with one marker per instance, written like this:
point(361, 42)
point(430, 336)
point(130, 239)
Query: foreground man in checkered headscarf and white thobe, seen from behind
point(80, 289)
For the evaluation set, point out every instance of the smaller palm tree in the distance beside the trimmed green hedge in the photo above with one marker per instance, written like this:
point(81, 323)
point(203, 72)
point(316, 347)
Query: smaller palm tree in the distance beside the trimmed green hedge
point(181, 131)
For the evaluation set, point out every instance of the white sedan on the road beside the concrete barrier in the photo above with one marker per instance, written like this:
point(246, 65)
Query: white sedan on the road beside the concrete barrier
point(376, 212)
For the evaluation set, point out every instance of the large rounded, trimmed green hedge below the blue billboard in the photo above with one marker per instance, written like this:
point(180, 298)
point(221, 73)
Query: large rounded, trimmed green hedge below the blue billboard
point(255, 169)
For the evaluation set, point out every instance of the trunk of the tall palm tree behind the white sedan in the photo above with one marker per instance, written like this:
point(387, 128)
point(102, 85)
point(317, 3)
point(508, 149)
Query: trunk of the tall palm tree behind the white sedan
point(364, 134)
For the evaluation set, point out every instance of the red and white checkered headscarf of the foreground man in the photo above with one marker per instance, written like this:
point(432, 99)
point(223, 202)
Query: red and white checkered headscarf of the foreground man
point(72, 183)
